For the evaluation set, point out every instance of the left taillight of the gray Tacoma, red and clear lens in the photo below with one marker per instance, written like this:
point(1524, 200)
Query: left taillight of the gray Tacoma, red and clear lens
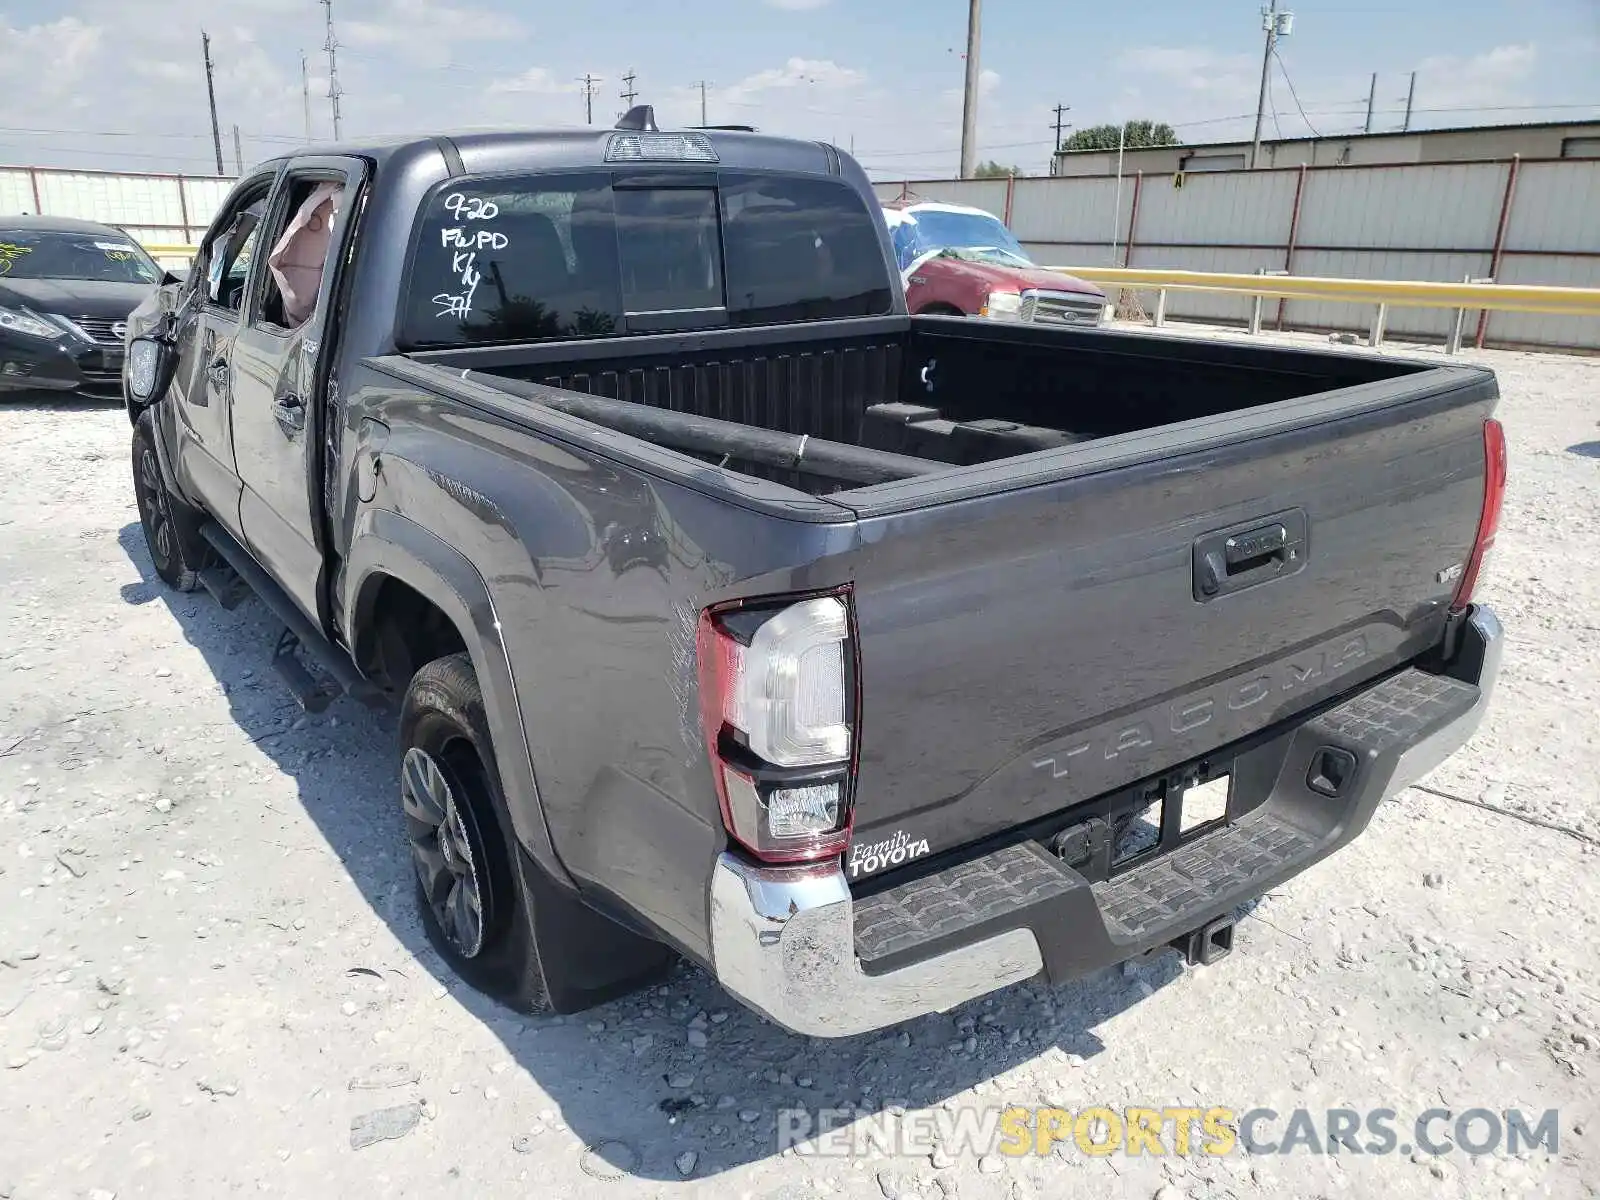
point(780, 710)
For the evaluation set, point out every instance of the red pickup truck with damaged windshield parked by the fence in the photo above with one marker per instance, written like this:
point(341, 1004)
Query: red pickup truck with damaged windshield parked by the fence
point(964, 262)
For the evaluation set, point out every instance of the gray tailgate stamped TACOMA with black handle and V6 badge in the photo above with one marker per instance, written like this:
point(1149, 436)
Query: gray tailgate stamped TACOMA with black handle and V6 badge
point(1049, 633)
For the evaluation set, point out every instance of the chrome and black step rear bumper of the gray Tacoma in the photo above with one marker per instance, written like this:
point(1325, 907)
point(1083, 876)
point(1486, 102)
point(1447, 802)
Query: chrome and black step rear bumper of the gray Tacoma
point(796, 946)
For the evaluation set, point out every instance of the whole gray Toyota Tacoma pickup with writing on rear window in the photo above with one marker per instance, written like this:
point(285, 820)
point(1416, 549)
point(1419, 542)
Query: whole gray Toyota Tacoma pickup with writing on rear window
point(870, 662)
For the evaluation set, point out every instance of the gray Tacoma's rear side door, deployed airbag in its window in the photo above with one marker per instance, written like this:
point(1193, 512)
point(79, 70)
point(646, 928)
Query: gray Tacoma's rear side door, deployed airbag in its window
point(274, 374)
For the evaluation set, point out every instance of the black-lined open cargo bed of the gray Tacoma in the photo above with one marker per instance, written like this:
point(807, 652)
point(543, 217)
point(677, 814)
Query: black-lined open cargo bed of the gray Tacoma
point(946, 391)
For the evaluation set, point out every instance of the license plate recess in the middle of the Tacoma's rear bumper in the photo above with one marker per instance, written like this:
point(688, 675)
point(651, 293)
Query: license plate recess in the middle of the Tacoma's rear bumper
point(1148, 822)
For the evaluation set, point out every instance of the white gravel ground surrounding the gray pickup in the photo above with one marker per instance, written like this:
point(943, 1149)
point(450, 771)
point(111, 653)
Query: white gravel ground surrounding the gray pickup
point(212, 974)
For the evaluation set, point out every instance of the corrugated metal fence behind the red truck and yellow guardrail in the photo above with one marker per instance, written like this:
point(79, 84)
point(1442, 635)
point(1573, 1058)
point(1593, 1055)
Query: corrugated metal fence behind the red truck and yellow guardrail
point(1513, 222)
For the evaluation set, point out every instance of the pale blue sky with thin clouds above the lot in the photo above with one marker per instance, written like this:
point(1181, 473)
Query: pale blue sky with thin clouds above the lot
point(118, 84)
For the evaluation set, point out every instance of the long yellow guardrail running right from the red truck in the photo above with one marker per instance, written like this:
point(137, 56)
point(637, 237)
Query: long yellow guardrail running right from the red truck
point(1409, 294)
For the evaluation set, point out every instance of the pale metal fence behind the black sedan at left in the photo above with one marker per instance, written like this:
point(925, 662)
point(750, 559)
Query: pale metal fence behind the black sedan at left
point(154, 209)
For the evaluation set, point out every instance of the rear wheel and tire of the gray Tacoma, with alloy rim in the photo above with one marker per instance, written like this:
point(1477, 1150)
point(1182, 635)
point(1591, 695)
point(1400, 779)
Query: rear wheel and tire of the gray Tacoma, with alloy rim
point(474, 910)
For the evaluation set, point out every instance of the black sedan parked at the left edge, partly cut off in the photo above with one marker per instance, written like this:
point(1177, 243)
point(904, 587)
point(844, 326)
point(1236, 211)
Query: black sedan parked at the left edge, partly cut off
point(66, 290)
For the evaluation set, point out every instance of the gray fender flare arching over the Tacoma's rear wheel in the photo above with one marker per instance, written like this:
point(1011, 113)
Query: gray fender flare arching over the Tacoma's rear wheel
point(388, 545)
